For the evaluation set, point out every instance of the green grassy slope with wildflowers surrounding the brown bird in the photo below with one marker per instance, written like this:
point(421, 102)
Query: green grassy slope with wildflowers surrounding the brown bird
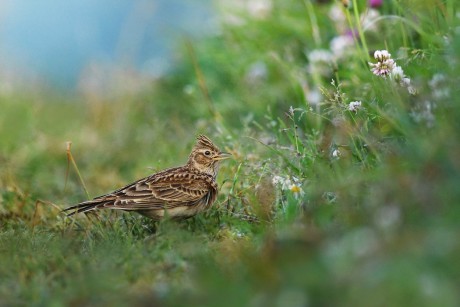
point(365, 211)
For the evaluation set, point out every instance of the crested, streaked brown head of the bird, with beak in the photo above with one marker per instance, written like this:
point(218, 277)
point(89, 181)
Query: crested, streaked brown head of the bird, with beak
point(205, 156)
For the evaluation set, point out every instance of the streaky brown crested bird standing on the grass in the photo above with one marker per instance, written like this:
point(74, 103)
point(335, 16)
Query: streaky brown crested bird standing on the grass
point(177, 193)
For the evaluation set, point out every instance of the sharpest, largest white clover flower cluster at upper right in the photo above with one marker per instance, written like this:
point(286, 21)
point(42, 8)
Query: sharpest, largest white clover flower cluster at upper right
point(386, 66)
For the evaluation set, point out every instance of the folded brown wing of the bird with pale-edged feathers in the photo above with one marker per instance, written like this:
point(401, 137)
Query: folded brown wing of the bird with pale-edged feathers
point(160, 192)
